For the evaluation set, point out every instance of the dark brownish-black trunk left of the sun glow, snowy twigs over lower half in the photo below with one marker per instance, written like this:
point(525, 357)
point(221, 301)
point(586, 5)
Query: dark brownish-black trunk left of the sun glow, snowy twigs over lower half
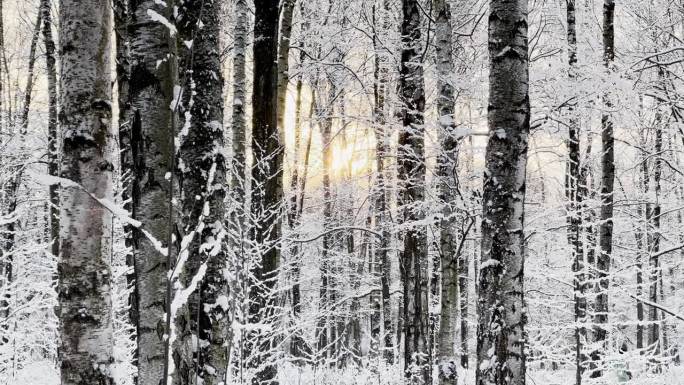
point(267, 186)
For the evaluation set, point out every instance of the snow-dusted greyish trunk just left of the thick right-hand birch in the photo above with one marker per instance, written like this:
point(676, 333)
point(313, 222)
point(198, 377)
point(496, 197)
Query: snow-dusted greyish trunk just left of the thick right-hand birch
point(448, 195)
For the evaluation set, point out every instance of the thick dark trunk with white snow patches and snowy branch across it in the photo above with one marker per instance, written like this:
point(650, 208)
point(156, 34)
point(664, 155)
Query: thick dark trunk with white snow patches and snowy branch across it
point(200, 348)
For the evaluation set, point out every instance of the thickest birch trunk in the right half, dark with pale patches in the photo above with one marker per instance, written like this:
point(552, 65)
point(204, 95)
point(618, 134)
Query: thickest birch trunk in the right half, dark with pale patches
point(501, 307)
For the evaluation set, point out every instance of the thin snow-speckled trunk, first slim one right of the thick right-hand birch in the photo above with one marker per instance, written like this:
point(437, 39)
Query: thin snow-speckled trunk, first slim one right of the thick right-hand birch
point(572, 179)
